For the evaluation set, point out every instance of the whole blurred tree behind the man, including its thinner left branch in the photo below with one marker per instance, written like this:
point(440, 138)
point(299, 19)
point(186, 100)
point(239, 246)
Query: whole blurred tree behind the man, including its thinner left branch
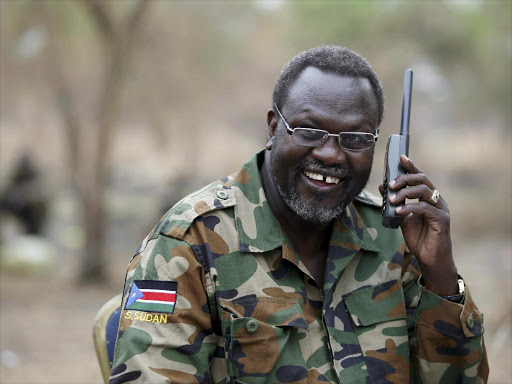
point(89, 176)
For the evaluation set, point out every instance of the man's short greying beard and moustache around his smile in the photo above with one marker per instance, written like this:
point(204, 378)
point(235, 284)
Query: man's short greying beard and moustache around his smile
point(312, 210)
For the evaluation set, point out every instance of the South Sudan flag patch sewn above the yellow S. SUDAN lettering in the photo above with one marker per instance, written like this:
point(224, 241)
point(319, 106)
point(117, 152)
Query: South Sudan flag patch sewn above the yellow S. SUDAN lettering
point(153, 296)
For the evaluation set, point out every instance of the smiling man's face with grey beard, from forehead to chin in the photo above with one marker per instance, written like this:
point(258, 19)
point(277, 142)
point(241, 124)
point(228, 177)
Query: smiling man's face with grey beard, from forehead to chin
point(336, 104)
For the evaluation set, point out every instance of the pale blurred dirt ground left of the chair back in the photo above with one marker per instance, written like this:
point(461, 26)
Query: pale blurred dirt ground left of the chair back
point(46, 324)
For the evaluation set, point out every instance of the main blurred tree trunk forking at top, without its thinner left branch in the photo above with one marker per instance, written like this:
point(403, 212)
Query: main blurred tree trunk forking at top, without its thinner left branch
point(119, 44)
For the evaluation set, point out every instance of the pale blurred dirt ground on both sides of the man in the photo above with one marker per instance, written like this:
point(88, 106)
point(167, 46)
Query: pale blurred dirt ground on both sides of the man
point(46, 321)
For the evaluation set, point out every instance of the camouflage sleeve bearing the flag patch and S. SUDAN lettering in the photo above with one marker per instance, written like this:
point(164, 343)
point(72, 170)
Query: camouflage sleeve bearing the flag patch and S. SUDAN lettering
point(160, 341)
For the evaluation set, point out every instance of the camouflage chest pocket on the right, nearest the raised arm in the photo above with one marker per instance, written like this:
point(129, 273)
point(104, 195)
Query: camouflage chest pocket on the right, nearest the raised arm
point(379, 319)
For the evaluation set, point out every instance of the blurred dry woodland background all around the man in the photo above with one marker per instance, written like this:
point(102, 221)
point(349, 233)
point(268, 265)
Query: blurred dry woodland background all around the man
point(111, 111)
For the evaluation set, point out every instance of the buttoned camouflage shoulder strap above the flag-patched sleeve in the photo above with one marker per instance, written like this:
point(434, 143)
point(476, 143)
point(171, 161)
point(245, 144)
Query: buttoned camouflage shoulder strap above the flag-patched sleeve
point(179, 218)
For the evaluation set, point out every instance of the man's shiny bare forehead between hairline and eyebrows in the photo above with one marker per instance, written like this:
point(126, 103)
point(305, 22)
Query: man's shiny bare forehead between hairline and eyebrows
point(324, 92)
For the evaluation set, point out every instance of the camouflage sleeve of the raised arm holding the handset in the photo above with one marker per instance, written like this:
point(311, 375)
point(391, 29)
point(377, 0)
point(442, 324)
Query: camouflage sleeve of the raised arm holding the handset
point(446, 339)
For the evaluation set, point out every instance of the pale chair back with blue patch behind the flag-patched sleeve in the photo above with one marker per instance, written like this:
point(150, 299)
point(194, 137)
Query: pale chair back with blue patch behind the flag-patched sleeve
point(104, 334)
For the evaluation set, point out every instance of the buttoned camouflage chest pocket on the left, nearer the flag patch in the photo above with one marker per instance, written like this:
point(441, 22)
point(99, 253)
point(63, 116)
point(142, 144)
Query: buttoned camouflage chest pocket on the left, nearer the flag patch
point(262, 338)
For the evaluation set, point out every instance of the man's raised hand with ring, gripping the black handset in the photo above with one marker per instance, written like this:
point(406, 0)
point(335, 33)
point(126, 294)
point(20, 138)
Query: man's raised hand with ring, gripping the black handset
point(426, 228)
